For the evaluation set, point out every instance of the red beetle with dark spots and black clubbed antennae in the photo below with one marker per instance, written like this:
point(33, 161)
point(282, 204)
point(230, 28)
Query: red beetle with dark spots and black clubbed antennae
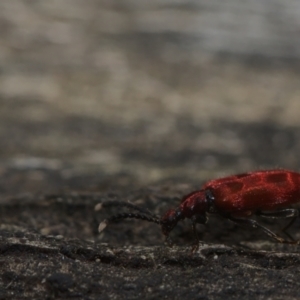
point(263, 193)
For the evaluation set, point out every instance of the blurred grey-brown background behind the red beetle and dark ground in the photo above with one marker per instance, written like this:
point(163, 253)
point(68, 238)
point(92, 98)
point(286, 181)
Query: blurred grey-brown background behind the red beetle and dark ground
point(103, 93)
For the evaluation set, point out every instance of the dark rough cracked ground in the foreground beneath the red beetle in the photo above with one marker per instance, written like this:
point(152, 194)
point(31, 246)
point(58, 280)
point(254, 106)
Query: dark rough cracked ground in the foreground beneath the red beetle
point(50, 249)
